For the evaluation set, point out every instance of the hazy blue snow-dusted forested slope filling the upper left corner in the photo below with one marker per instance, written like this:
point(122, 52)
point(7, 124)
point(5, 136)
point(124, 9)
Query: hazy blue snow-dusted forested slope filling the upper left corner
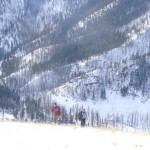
point(21, 20)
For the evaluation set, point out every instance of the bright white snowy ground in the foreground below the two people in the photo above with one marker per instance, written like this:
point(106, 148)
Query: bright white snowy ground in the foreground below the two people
point(30, 136)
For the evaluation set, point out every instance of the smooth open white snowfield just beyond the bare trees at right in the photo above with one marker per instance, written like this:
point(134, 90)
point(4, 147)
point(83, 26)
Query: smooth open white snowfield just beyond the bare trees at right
point(115, 104)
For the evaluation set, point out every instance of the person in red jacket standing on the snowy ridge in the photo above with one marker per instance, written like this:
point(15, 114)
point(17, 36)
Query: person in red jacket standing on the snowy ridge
point(56, 112)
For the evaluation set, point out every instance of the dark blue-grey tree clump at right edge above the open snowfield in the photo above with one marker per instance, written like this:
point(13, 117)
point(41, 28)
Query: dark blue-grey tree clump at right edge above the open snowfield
point(139, 78)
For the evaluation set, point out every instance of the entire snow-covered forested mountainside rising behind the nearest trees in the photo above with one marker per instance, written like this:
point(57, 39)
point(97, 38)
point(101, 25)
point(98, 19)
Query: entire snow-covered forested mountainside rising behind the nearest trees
point(92, 53)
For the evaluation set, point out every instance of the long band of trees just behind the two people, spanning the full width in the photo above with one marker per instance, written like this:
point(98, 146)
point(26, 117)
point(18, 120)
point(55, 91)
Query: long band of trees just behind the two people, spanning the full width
point(29, 109)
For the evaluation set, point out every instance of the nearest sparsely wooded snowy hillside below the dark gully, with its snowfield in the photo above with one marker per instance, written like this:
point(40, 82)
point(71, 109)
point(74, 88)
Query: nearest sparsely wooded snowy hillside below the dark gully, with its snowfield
point(84, 81)
